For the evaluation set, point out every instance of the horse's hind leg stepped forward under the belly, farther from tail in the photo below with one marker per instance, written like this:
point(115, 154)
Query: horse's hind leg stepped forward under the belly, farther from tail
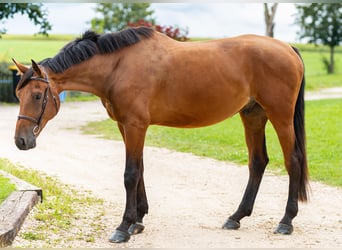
point(254, 120)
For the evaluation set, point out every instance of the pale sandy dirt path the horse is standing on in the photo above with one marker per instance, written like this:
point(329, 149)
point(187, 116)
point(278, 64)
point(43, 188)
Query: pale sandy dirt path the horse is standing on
point(190, 197)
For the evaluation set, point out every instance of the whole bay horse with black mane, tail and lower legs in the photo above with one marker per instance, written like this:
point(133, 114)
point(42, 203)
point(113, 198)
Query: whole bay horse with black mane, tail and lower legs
point(144, 77)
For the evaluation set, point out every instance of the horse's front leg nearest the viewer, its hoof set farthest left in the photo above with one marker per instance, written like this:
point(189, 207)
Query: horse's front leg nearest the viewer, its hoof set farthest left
point(134, 142)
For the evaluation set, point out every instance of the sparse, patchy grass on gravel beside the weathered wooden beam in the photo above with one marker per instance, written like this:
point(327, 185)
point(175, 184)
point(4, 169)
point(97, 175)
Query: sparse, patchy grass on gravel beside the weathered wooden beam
point(63, 209)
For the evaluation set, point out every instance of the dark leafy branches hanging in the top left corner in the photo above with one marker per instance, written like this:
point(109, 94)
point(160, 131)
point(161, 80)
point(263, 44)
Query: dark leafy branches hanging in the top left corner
point(34, 12)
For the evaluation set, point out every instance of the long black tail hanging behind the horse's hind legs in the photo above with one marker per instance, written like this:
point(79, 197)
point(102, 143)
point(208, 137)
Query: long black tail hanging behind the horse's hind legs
point(300, 145)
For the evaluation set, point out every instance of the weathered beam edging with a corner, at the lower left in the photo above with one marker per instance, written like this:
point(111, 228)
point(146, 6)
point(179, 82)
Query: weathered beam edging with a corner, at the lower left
point(15, 208)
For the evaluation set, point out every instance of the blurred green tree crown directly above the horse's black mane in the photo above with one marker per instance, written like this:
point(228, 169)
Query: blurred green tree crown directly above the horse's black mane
point(116, 16)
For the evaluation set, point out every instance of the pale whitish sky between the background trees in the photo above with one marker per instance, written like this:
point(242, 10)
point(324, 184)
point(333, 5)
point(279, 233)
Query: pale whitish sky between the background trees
point(214, 20)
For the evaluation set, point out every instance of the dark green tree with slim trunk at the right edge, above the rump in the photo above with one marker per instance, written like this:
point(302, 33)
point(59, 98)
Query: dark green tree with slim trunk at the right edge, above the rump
point(321, 23)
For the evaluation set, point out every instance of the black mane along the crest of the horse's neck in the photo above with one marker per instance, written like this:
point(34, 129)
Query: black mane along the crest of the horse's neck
point(91, 44)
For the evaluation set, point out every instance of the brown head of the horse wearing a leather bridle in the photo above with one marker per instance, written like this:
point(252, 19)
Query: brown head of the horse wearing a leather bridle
point(39, 103)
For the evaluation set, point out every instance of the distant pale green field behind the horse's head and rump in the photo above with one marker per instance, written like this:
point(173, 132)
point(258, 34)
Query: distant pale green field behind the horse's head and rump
point(25, 47)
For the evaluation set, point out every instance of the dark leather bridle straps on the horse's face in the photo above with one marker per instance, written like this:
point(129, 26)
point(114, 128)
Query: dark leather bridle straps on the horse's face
point(37, 121)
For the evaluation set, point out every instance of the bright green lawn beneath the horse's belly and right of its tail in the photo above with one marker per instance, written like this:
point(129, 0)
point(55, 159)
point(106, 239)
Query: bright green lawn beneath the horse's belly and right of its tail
point(225, 141)
